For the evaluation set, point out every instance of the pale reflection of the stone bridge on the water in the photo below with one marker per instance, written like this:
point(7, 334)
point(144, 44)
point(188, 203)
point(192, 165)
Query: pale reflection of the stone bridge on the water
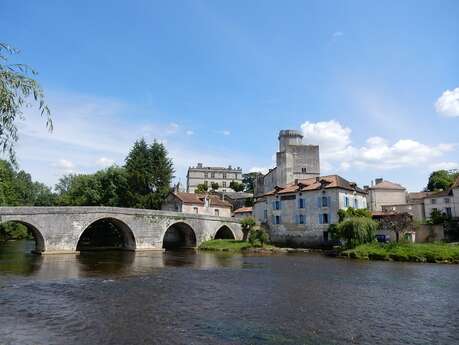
point(15, 258)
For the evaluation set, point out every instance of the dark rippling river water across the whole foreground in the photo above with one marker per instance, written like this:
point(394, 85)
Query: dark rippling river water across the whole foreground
point(209, 298)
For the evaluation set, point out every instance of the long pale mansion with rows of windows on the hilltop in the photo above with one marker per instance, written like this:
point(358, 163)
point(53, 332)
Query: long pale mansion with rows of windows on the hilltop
point(207, 175)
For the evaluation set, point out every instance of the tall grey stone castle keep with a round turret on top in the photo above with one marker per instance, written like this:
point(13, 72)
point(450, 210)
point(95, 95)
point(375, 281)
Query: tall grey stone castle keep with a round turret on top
point(295, 160)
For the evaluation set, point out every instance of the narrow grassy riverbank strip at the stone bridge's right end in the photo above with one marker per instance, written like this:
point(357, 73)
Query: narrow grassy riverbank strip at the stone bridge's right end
point(245, 246)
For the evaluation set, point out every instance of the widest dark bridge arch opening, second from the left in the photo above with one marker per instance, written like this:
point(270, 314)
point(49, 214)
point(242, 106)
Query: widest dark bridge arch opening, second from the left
point(106, 233)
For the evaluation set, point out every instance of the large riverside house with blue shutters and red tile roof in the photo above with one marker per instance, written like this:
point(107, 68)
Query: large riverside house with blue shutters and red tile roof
point(300, 213)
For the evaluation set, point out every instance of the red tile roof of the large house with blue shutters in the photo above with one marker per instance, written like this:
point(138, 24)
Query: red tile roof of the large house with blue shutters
point(327, 182)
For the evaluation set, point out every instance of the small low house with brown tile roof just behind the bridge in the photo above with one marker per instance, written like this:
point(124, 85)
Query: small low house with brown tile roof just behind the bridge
point(210, 205)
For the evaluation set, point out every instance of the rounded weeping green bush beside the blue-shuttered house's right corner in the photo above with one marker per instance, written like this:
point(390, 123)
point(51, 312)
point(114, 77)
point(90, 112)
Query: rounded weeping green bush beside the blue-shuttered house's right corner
point(357, 230)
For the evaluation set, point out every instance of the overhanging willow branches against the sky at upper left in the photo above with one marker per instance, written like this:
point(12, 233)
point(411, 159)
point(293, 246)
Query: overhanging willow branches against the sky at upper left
point(17, 88)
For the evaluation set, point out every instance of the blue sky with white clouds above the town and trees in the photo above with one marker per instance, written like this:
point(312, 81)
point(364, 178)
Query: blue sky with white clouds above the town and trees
point(375, 84)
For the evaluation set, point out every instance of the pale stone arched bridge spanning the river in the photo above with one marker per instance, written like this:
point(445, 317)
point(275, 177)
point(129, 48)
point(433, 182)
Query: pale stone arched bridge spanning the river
point(62, 229)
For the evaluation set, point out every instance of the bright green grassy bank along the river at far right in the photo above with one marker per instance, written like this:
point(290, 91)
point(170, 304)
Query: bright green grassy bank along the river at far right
point(417, 252)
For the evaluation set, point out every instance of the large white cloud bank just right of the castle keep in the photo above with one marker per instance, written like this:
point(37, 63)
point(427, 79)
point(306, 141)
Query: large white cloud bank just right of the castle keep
point(338, 153)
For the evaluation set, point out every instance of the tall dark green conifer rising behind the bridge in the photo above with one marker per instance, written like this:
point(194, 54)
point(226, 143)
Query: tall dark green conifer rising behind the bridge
point(149, 172)
